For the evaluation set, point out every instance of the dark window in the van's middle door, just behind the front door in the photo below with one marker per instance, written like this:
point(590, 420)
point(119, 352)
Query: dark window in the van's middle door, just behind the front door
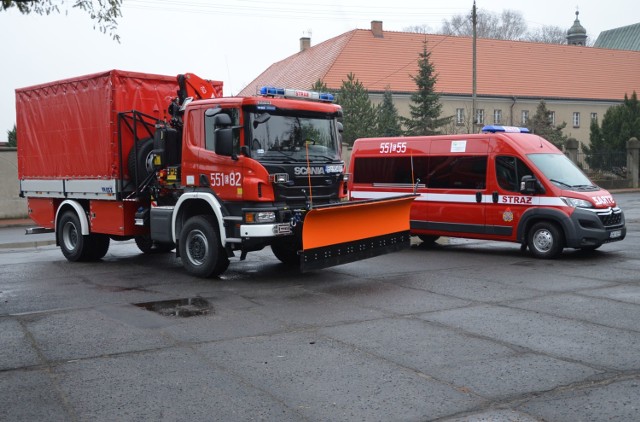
point(456, 172)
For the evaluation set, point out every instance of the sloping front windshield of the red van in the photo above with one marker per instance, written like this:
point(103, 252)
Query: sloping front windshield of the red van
point(561, 171)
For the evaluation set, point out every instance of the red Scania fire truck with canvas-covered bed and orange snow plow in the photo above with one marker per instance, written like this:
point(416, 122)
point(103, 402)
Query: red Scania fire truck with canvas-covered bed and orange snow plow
point(172, 163)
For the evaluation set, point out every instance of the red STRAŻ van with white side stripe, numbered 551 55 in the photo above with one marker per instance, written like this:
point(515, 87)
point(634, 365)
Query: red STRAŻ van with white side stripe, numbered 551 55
point(502, 184)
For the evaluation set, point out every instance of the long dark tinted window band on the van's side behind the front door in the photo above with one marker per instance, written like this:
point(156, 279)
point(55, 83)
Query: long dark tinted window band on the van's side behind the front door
point(438, 172)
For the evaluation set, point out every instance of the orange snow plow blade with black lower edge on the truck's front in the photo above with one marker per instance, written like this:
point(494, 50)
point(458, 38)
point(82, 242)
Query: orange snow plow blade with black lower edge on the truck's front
point(350, 231)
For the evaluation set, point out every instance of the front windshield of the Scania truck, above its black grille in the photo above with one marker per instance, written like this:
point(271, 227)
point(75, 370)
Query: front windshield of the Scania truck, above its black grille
point(276, 136)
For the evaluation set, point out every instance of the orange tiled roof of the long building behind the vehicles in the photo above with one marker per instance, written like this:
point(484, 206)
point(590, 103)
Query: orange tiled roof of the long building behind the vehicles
point(504, 68)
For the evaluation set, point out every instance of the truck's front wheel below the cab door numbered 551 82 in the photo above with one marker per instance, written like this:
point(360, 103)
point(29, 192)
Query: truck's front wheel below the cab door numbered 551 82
point(200, 247)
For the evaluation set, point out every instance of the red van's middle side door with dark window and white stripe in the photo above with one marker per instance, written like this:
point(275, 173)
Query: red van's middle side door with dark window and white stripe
point(457, 187)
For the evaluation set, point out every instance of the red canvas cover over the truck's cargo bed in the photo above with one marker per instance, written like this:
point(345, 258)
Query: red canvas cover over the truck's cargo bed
point(69, 129)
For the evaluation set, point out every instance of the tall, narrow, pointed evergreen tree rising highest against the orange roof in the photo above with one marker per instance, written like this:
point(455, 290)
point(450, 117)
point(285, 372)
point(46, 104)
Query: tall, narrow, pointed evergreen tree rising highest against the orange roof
point(425, 108)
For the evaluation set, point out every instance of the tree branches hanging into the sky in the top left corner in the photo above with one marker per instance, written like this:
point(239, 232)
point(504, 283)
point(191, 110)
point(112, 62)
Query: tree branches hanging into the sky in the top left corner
point(104, 13)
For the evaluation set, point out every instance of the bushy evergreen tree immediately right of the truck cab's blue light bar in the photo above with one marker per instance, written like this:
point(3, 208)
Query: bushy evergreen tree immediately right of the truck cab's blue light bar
point(359, 114)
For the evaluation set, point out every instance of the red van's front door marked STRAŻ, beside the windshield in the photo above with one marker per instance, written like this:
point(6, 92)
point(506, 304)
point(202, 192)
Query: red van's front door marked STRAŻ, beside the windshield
point(507, 203)
